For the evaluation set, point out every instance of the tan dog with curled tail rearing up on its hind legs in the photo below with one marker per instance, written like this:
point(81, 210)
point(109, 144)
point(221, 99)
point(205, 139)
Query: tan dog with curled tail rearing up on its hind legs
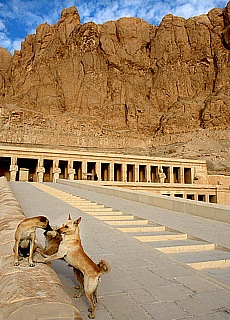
point(73, 253)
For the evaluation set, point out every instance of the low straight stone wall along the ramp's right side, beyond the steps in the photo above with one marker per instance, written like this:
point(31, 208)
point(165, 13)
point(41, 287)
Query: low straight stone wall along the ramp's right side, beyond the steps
point(203, 209)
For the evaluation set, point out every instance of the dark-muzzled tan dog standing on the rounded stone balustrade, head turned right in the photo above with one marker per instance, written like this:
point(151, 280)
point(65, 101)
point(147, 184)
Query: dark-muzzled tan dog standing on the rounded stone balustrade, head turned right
point(25, 236)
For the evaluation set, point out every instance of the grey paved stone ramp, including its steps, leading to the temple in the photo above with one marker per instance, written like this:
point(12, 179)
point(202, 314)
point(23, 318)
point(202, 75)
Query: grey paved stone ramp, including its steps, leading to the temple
point(144, 283)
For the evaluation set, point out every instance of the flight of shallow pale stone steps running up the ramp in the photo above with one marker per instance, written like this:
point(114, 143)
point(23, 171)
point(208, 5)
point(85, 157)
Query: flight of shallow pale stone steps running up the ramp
point(196, 253)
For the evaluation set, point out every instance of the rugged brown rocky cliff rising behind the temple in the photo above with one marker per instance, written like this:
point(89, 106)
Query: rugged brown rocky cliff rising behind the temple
point(124, 85)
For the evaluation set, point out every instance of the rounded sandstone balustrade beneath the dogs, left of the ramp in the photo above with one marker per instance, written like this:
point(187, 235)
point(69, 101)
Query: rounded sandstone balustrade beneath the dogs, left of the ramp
point(27, 293)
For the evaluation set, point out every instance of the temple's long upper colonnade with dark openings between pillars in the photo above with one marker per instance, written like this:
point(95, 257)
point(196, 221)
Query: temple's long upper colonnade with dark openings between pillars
point(124, 170)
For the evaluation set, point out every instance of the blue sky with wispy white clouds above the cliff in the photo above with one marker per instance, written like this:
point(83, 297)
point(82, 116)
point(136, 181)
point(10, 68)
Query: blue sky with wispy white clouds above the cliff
point(18, 18)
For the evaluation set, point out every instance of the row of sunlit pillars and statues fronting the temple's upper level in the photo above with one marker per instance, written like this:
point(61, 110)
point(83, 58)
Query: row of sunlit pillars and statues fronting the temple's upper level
point(123, 171)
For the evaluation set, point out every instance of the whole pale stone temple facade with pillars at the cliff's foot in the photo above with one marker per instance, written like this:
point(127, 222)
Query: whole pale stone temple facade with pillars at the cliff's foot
point(183, 178)
